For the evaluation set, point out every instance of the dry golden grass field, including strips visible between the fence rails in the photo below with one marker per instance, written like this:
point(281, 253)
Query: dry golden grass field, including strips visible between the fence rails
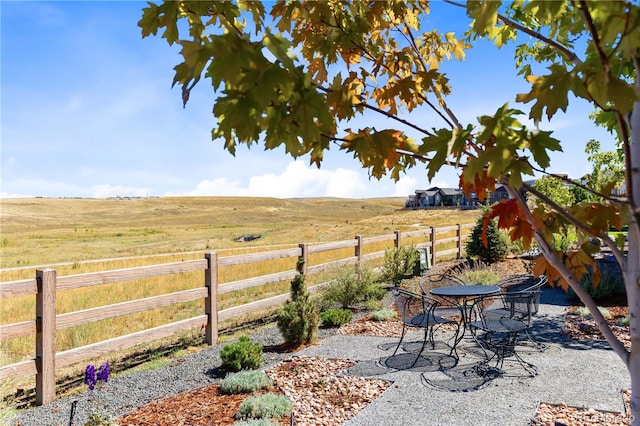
point(74, 236)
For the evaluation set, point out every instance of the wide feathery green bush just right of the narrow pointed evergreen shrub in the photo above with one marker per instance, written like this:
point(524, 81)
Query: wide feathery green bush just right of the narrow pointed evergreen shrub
point(349, 289)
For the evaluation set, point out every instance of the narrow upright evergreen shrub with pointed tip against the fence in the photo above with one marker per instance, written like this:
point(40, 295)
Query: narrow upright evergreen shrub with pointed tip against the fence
point(298, 320)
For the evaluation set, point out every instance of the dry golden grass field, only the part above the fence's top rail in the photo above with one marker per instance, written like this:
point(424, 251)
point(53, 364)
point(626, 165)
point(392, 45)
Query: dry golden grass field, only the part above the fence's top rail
point(45, 231)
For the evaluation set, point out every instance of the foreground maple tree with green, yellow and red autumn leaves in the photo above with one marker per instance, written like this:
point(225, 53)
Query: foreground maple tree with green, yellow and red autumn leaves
point(296, 75)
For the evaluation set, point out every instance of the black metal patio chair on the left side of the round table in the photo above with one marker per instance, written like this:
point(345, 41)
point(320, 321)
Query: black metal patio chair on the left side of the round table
point(420, 311)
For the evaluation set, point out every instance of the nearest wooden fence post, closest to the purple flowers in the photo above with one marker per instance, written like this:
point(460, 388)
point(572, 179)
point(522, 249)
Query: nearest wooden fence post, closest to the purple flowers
point(45, 336)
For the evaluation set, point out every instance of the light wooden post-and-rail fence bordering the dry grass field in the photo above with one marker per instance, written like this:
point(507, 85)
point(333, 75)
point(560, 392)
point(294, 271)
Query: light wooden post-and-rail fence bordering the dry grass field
point(46, 285)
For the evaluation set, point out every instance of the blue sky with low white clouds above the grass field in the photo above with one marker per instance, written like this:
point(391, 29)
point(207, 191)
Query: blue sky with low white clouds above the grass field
point(88, 111)
